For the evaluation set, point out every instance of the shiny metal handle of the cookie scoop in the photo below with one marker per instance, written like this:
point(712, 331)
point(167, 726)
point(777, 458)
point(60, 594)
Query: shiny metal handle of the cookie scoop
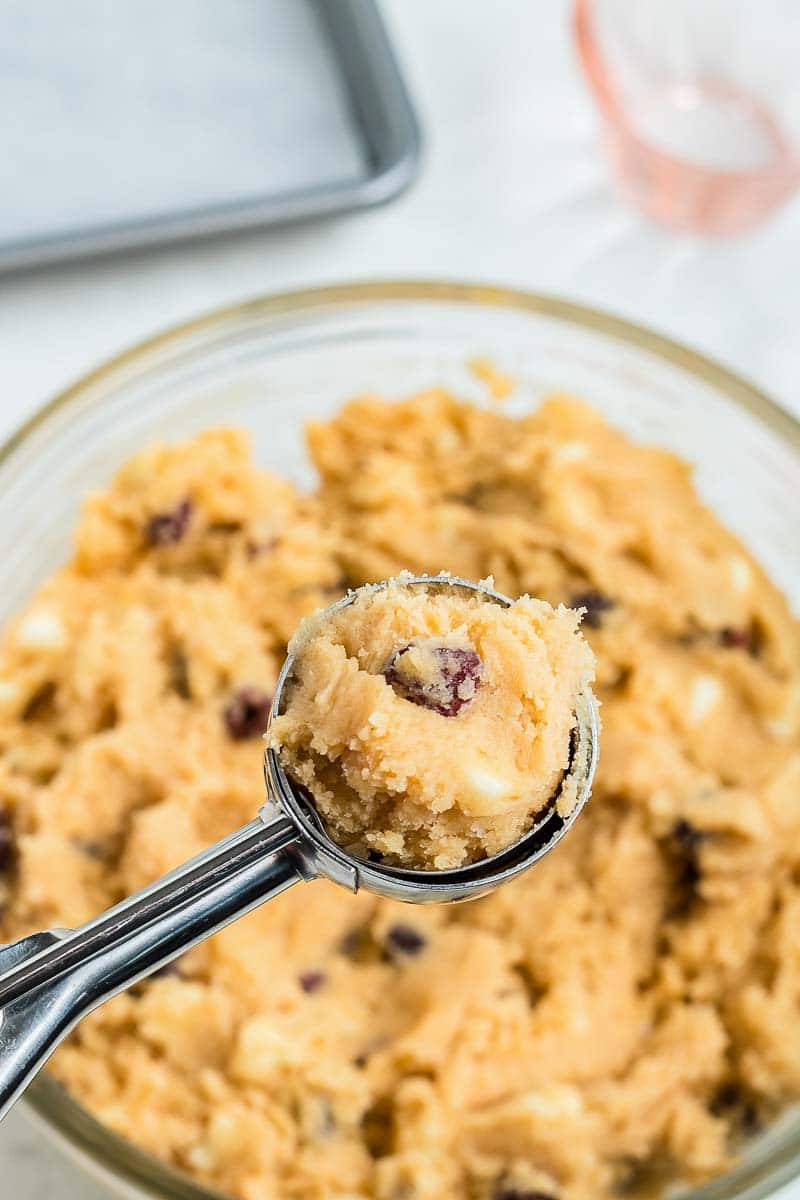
point(50, 981)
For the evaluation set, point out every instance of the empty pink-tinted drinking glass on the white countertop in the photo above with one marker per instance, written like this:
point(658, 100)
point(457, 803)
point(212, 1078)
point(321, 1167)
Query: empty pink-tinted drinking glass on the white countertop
point(701, 105)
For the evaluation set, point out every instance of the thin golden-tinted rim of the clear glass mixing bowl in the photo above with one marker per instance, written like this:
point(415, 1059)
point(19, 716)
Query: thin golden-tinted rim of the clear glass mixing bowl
point(99, 1149)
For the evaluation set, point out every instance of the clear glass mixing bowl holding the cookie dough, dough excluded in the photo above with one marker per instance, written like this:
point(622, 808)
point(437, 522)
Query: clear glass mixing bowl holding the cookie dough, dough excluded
point(270, 365)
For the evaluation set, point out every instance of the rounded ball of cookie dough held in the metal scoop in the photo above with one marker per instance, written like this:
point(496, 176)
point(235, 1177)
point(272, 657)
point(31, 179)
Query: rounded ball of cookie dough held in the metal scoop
point(430, 724)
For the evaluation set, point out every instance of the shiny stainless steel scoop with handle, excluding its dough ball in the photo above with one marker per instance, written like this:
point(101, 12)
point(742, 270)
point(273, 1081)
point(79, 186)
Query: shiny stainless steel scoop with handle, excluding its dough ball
point(50, 981)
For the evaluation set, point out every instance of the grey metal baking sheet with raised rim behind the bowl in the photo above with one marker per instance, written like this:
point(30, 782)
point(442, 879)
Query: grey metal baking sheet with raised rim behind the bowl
point(140, 122)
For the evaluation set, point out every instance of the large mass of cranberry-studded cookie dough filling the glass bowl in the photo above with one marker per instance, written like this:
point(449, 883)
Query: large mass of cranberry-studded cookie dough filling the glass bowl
point(619, 1017)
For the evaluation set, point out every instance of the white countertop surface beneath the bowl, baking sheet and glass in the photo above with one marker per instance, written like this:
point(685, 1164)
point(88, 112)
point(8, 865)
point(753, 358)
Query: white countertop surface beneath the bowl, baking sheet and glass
point(513, 191)
